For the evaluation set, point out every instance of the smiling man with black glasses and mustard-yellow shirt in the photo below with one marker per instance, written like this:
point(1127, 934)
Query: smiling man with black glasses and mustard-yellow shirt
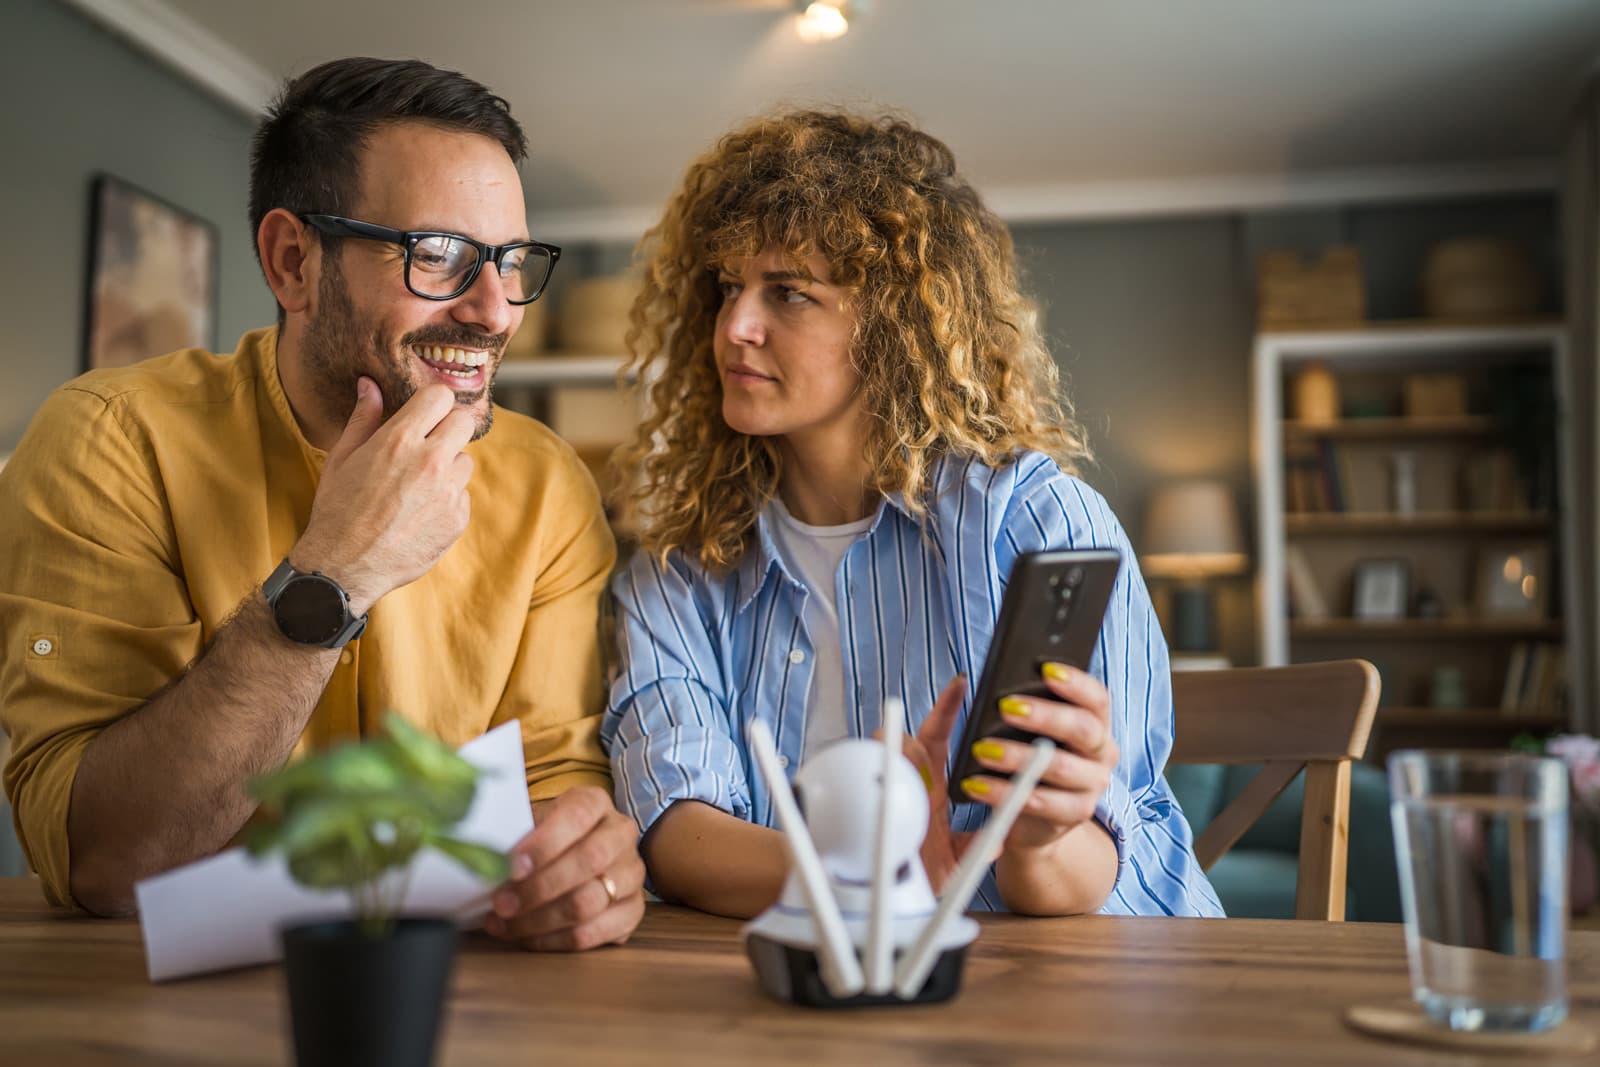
point(215, 564)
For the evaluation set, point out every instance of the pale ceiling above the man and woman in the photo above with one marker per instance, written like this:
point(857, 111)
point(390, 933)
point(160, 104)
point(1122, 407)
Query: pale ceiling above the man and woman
point(1055, 108)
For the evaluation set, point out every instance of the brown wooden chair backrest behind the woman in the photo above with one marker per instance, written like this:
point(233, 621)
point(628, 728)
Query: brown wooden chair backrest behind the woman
point(1313, 717)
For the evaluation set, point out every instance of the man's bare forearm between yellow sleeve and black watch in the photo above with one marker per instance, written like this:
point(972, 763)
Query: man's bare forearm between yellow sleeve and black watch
point(166, 785)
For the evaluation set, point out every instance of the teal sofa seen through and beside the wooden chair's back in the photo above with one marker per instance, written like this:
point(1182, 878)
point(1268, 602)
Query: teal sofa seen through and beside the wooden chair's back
point(1257, 877)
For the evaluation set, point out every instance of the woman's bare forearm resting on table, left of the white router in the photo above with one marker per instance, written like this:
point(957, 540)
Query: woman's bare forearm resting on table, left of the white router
point(714, 861)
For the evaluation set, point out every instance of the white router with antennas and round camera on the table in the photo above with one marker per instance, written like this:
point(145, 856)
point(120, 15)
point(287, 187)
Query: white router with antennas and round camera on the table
point(858, 924)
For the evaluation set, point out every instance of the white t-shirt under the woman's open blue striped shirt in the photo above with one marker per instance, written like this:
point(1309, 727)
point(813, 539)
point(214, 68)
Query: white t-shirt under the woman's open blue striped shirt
point(814, 556)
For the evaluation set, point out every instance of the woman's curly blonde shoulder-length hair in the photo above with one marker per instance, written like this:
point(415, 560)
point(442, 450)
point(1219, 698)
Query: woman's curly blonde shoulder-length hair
point(948, 350)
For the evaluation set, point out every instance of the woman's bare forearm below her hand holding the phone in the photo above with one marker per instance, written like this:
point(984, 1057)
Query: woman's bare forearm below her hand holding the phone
point(1071, 876)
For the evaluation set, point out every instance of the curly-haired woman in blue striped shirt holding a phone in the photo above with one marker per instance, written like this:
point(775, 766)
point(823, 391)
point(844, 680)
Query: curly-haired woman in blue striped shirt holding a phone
point(857, 428)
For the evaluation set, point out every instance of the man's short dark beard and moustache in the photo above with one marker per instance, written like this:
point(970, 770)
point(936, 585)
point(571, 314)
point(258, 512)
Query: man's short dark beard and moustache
point(338, 340)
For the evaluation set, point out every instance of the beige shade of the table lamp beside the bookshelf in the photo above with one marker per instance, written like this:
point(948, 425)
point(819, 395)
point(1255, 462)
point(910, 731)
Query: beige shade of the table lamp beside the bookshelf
point(1193, 532)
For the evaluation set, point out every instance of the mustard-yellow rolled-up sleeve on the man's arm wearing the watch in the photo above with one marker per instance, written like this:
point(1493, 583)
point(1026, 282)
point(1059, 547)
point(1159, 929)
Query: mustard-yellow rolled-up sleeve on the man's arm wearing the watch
point(95, 617)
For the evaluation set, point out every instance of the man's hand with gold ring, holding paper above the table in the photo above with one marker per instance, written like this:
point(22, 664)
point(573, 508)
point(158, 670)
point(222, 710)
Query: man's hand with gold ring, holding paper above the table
point(577, 881)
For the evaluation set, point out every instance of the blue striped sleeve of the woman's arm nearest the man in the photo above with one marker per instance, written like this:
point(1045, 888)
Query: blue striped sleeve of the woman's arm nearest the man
point(668, 727)
